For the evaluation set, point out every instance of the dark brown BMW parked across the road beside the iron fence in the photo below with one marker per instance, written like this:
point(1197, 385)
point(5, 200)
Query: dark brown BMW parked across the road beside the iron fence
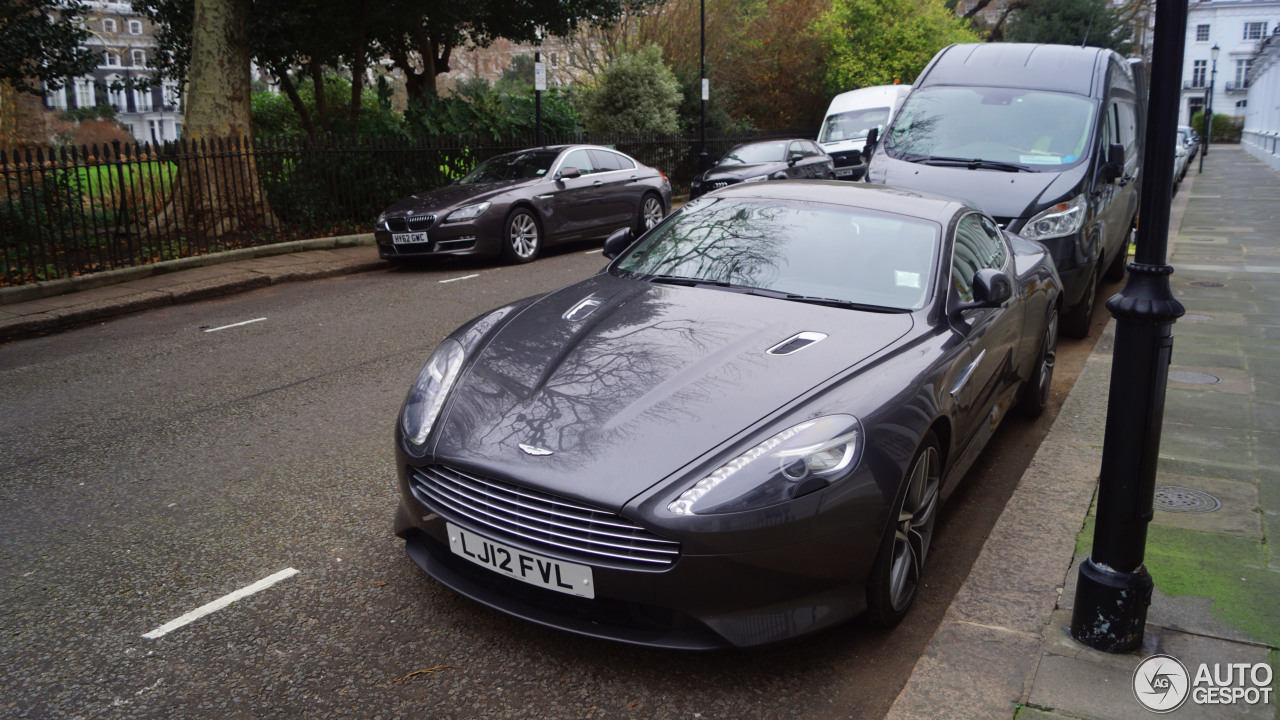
point(514, 206)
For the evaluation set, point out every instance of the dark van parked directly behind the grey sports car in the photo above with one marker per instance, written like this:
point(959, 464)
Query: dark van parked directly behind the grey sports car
point(1048, 139)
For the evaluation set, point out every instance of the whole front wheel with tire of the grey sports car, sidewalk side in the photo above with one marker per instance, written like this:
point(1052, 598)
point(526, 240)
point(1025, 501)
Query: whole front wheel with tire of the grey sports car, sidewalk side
point(897, 575)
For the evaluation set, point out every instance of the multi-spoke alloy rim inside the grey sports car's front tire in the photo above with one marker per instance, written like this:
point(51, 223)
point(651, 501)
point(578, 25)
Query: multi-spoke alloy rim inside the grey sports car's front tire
point(915, 528)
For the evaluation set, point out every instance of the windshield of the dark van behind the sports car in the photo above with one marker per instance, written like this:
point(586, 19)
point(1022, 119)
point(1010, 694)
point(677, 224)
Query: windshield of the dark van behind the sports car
point(1041, 131)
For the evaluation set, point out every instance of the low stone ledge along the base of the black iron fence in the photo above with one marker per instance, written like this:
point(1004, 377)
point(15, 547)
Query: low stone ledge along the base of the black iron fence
point(63, 286)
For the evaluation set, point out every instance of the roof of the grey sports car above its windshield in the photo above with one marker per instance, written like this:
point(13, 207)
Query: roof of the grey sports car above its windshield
point(876, 198)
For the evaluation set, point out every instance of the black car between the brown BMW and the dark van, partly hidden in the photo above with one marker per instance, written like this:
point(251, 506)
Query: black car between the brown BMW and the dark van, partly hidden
point(771, 160)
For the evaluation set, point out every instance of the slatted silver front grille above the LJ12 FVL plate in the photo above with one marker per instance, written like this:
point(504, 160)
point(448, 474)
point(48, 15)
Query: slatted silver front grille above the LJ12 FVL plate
point(541, 522)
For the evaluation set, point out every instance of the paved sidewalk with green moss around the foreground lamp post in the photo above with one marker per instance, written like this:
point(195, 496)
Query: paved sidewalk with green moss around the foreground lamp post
point(1004, 649)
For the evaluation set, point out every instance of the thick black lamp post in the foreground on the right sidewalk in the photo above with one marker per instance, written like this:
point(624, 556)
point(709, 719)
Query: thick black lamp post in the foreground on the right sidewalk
point(1114, 587)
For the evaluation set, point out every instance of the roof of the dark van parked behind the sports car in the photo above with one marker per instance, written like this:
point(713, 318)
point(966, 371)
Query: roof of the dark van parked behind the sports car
point(1063, 69)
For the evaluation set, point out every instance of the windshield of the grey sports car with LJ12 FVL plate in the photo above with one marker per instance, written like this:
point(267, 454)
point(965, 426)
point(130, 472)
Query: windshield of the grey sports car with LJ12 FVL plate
point(807, 249)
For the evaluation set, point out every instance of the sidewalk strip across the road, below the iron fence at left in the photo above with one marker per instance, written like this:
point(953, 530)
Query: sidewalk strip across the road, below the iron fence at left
point(57, 306)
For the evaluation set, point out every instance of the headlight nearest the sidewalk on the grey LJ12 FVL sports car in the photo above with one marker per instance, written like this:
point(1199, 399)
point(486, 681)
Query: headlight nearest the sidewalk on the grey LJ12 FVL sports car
point(797, 462)
